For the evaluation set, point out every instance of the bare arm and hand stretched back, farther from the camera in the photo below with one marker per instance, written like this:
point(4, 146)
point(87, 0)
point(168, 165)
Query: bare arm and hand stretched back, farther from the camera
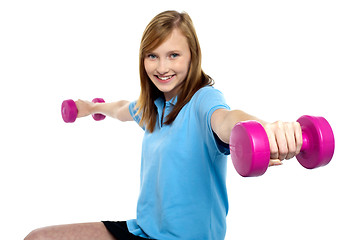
point(118, 110)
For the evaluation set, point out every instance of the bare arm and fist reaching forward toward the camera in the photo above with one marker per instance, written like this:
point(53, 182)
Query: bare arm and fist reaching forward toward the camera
point(285, 138)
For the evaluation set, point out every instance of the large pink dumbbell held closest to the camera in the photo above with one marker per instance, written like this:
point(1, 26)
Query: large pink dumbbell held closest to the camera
point(250, 150)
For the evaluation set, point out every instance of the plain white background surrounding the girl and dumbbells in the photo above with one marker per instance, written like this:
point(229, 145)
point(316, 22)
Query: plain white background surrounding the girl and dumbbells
point(277, 60)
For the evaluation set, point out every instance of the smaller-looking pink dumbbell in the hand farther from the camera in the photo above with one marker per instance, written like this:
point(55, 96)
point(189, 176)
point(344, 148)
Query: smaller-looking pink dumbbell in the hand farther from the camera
point(69, 111)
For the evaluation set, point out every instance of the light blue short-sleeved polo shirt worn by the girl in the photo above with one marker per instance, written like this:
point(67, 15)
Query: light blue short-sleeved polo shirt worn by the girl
point(183, 191)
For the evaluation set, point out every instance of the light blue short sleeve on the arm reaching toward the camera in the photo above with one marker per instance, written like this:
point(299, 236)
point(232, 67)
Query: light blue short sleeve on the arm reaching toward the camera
point(209, 100)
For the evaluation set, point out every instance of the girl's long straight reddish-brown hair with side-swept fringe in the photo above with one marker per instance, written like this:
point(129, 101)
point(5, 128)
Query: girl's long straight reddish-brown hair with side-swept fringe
point(154, 35)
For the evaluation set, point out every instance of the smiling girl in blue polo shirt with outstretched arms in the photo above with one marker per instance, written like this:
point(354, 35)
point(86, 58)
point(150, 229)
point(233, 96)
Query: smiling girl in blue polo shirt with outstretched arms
point(187, 126)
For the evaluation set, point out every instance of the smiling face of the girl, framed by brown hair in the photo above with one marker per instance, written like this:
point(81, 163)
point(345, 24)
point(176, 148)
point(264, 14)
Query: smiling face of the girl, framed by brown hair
point(167, 66)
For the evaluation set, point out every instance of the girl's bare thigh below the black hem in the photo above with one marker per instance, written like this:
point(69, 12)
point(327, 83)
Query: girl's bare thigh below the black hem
point(82, 231)
